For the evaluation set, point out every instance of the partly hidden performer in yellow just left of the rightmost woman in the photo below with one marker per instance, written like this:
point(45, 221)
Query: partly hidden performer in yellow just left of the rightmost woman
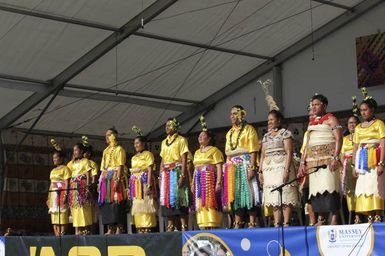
point(348, 182)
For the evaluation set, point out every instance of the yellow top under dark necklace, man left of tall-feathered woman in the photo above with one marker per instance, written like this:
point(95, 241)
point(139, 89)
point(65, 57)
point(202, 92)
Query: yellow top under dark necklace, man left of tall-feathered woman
point(248, 141)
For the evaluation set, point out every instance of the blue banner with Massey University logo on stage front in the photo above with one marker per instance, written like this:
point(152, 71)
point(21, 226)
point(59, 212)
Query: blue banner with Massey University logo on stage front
point(326, 240)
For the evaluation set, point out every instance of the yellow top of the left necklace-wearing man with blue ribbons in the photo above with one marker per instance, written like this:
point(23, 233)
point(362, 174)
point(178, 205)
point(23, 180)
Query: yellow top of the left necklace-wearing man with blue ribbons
point(177, 146)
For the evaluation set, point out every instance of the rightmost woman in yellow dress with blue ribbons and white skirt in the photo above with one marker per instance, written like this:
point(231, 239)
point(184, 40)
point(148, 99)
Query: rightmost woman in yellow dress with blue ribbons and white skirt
point(369, 162)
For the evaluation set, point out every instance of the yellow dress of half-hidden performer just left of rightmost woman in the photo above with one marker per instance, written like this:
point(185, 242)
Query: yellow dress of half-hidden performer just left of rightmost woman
point(348, 182)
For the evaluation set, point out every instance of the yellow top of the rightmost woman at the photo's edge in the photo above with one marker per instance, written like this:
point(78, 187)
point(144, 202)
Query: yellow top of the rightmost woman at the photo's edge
point(375, 131)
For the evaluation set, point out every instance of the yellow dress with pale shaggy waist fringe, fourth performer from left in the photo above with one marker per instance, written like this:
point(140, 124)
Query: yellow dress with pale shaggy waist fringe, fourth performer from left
point(143, 206)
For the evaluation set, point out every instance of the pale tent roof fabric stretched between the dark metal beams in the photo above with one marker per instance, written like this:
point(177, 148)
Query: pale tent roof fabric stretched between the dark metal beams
point(38, 49)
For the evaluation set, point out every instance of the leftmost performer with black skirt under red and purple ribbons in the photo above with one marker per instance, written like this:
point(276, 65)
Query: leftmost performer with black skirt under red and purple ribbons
point(112, 184)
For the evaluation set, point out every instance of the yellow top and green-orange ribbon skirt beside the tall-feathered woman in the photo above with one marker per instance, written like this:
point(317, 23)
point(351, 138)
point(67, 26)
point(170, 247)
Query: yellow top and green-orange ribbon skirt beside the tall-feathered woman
point(240, 193)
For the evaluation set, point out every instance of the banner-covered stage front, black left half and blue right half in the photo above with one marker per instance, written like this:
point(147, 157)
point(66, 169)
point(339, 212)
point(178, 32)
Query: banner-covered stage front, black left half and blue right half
point(362, 239)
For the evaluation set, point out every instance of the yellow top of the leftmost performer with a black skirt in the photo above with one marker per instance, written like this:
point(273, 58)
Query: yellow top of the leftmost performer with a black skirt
point(113, 157)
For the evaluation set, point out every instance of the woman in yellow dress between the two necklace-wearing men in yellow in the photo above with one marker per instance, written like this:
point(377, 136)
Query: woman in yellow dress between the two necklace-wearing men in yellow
point(207, 181)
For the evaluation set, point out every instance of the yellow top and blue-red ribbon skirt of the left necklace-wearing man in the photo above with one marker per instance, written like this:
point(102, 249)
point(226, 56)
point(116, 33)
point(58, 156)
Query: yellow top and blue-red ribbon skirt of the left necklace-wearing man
point(171, 196)
